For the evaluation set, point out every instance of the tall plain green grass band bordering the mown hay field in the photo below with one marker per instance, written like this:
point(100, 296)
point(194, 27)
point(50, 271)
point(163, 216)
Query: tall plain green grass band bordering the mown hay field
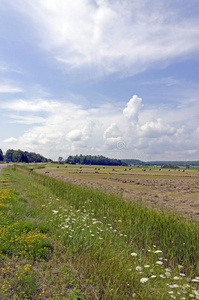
point(176, 236)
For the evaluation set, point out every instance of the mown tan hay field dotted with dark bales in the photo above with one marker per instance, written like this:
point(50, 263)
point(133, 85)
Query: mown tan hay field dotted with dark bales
point(171, 189)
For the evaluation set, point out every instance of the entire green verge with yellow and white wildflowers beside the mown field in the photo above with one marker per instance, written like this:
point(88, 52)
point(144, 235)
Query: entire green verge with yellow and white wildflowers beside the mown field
point(64, 241)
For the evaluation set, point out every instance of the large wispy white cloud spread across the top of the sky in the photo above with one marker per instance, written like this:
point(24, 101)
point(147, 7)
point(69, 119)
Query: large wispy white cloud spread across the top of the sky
point(112, 36)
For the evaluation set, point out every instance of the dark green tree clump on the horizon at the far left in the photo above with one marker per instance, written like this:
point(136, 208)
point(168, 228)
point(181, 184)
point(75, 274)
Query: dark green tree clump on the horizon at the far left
point(22, 156)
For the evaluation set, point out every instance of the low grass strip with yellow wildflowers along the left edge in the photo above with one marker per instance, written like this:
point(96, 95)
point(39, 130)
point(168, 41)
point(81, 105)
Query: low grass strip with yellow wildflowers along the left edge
point(28, 259)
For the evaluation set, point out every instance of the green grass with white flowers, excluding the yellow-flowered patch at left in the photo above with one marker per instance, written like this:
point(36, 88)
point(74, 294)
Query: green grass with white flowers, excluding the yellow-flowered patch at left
point(109, 244)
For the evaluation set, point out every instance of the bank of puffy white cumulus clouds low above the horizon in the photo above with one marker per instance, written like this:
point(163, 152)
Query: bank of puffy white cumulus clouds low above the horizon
point(132, 131)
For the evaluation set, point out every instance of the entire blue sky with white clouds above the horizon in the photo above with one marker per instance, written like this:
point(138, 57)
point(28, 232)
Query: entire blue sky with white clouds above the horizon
point(100, 77)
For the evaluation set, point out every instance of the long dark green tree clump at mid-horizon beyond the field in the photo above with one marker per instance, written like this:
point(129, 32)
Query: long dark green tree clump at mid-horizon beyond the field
point(94, 160)
